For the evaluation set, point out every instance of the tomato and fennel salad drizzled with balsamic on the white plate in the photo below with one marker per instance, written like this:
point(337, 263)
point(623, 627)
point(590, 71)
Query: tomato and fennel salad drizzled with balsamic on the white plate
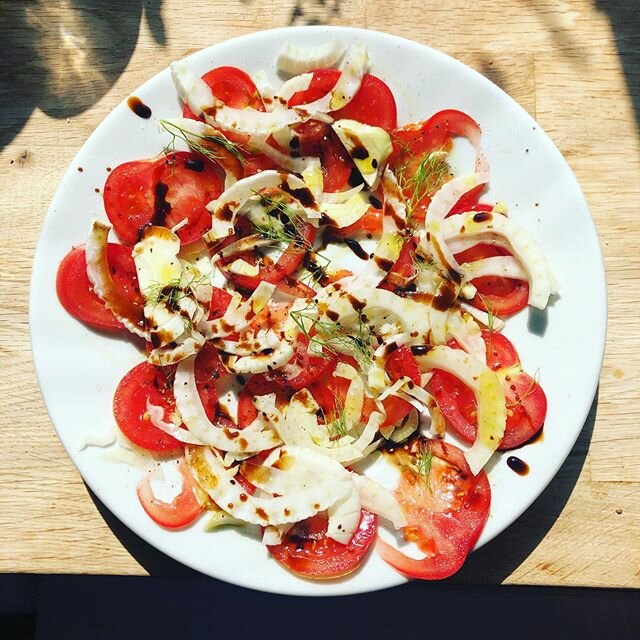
point(314, 288)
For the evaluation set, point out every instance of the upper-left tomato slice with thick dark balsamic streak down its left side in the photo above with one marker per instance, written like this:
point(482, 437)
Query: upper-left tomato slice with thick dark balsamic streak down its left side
point(186, 184)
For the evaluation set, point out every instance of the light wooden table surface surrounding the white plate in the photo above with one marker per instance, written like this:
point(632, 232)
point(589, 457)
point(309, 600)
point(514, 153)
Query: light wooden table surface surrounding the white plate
point(573, 65)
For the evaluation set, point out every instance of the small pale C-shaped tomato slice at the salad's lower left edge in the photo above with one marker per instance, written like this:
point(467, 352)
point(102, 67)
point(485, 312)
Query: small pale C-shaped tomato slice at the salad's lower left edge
point(181, 511)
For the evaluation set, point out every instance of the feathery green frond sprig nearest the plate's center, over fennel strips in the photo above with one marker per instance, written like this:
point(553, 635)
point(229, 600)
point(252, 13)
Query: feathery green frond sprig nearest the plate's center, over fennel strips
point(332, 338)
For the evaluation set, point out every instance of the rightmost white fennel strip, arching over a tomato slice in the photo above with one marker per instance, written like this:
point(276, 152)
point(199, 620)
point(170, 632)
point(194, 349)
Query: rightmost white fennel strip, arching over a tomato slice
point(542, 282)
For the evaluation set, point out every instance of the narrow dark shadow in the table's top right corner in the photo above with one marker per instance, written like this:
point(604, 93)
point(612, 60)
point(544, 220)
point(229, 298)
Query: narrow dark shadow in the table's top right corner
point(624, 17)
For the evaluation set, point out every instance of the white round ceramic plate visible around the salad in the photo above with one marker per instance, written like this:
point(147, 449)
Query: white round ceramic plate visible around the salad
point(78, 369)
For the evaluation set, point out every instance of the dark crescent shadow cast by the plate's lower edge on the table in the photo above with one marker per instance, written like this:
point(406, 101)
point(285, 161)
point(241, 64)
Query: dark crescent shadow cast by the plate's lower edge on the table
point(490, 564)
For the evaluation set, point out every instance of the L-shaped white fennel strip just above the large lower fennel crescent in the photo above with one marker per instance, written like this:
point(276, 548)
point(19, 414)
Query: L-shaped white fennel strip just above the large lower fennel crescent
point(195, 418)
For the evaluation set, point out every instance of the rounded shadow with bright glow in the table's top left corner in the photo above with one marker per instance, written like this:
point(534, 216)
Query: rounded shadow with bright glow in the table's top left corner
point(62, 56)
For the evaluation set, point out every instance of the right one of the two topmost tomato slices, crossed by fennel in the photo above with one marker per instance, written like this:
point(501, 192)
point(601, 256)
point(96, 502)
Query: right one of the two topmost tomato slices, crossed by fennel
point(374, 103)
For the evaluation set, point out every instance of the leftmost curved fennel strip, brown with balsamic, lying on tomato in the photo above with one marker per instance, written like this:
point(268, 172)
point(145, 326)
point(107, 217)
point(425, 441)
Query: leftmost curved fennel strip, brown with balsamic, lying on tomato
point(99, 274)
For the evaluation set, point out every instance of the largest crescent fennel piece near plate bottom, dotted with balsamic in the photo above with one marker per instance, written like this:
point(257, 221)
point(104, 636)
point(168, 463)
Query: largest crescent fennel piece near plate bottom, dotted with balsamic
point(321, 487)
